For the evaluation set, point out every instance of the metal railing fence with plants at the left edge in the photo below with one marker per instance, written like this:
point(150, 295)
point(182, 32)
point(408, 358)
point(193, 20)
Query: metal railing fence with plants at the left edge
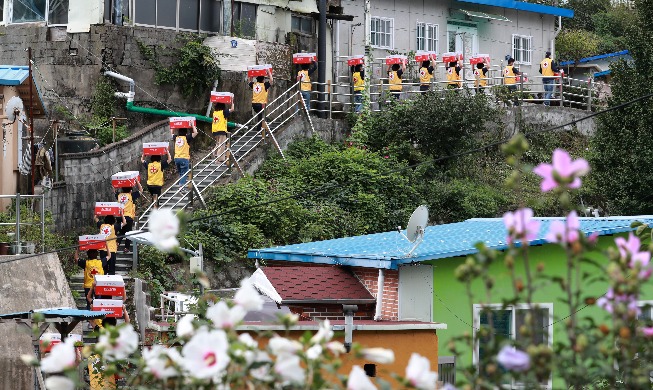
point(28, 245)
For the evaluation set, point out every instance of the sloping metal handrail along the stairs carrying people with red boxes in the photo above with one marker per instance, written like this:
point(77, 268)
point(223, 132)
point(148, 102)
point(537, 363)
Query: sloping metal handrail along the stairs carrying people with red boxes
point(247, 128)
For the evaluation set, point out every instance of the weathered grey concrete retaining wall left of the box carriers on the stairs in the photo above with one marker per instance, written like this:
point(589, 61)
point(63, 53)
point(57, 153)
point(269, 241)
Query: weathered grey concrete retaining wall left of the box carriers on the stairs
point(87, 176)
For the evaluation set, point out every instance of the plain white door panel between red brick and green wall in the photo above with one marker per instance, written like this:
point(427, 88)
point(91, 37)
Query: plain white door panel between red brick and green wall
point(416, 292)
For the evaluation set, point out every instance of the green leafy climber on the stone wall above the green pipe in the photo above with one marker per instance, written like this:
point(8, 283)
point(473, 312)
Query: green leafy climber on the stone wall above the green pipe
point(194, 68)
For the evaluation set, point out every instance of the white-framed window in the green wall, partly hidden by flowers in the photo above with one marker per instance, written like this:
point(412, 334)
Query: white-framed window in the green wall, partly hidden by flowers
point(507, 320)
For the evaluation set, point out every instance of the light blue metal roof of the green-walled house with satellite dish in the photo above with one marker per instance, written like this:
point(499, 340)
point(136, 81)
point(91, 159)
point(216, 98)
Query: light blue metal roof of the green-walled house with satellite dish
point(388, 250)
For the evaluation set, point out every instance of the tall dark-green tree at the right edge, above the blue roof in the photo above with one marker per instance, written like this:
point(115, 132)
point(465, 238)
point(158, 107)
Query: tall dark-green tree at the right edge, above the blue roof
point(621, 151)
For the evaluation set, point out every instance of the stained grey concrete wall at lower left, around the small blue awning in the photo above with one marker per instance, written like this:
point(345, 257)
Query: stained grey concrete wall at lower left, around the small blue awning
point(34, 283)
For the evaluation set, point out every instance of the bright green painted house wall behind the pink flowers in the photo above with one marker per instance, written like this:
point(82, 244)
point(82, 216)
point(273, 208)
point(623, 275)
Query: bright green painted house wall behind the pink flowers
point(452, 306)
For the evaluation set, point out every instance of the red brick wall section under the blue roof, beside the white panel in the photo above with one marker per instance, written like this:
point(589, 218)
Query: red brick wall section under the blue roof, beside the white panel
point(390, 302)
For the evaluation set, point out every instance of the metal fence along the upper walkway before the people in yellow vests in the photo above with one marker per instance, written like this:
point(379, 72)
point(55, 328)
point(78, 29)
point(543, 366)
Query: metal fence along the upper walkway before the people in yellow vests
point(565, 91)
